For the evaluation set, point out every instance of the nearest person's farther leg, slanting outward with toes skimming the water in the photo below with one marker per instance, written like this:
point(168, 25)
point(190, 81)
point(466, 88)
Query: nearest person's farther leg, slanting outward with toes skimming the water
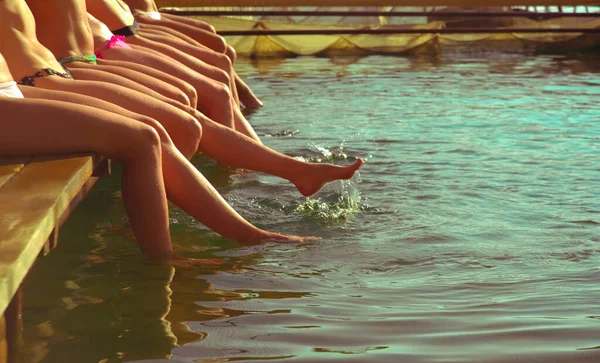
point(185, 185)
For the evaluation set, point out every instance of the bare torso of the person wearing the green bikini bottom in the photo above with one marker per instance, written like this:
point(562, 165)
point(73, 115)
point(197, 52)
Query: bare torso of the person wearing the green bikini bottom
point(62, 27)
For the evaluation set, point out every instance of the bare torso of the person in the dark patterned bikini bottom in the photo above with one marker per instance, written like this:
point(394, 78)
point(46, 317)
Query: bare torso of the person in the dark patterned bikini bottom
point(23, 52)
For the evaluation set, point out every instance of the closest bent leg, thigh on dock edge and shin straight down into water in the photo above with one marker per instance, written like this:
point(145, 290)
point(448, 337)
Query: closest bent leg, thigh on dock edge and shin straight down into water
point(66, 128)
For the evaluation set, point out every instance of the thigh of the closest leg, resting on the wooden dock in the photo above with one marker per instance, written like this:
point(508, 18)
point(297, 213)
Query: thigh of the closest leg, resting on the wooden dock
point(50, 127)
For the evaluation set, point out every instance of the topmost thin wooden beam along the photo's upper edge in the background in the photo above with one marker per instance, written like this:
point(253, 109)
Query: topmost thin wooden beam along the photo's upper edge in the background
point(421, 3)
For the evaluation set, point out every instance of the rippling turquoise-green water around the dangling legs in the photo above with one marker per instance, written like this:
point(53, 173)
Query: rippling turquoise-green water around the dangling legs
point(472, 233)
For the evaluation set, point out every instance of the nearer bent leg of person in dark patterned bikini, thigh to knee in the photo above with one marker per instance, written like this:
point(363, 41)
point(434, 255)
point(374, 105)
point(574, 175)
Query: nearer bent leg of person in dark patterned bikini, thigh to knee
point(185, 131)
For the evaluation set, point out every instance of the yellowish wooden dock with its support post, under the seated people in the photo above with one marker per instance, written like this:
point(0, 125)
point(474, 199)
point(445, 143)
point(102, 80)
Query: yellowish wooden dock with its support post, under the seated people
point(36, 196)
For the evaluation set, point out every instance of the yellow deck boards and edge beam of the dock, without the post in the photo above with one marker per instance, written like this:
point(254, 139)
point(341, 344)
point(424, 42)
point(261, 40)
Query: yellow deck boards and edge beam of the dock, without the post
point(31, 204)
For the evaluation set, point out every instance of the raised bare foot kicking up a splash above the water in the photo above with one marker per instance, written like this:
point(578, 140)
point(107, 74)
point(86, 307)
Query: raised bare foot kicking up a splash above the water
point(312, 180)
